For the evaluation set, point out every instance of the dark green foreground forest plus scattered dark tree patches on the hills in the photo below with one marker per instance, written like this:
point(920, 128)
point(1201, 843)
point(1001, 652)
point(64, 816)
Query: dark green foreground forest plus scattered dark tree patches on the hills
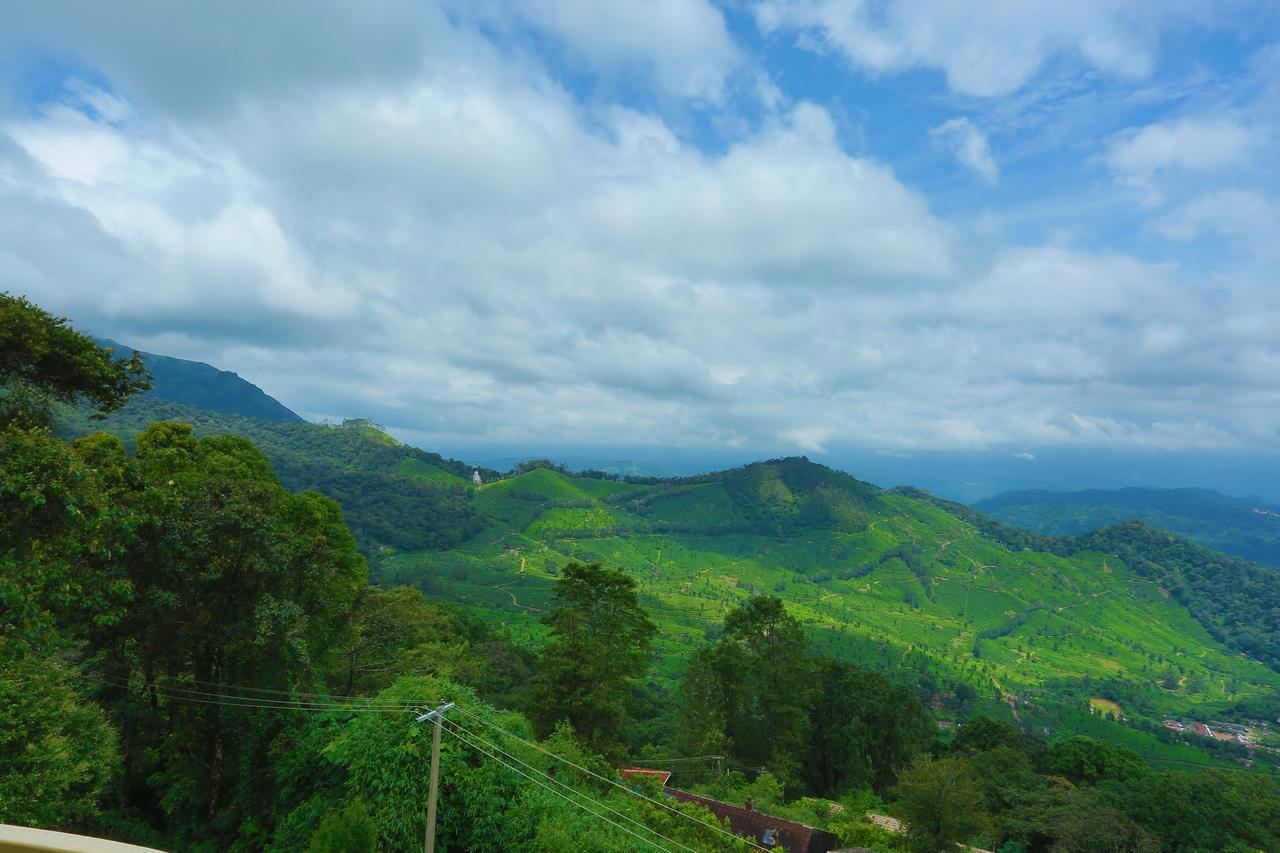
point(193, 658)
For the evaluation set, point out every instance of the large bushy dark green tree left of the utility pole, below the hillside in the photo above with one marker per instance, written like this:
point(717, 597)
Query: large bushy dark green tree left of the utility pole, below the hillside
point(234, 585)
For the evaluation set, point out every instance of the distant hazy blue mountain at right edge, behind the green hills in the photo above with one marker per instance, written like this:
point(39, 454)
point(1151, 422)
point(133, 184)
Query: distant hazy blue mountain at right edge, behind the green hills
point(1245, 527)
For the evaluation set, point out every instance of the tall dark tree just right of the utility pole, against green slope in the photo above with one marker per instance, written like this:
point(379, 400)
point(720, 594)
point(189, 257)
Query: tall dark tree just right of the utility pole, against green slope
point(600, 645)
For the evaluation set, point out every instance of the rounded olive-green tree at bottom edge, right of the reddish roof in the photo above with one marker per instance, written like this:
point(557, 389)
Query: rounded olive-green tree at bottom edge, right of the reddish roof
point(940, 804)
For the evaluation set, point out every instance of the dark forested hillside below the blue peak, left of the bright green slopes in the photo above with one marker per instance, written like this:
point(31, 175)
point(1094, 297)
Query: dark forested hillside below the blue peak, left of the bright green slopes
point(392, 495)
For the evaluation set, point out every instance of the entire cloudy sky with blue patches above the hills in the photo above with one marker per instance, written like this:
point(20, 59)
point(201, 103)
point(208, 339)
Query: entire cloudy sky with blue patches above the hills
point(770, 226)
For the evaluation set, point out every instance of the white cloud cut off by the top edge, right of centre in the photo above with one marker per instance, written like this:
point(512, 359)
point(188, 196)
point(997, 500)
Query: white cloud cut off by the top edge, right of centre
point(985, 49)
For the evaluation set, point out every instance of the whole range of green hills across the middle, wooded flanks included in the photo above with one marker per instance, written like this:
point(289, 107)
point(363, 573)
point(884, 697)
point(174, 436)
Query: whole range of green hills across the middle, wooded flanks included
point(971, 613)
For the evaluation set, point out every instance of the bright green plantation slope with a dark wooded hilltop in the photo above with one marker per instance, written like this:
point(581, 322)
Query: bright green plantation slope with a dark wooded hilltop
point(876, 577)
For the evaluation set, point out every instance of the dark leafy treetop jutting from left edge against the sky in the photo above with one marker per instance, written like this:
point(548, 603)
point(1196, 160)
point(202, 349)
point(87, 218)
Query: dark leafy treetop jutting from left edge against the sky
point(43, 361)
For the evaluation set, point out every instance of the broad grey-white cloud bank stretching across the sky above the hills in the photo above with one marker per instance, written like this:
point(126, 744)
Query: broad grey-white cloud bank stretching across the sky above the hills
point(451, 243)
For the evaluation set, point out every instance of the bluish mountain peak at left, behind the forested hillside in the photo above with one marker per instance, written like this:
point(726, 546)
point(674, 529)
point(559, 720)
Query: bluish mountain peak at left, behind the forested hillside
point(195, 384)
